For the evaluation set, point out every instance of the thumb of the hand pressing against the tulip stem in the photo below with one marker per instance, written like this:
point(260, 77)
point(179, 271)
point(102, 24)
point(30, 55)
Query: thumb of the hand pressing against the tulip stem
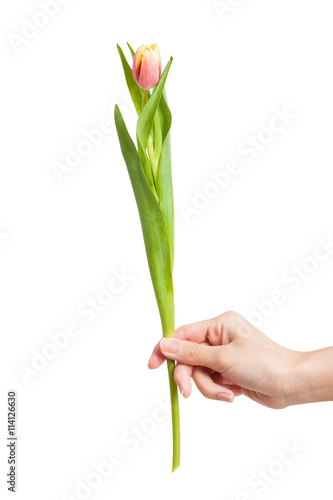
point(192, 353)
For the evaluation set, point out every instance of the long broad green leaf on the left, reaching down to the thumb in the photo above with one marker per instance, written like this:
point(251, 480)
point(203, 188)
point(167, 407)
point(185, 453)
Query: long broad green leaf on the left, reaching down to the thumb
point(153, 227)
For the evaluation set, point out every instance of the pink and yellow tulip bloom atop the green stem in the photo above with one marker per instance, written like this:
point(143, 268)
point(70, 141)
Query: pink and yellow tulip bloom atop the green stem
point(147, 66)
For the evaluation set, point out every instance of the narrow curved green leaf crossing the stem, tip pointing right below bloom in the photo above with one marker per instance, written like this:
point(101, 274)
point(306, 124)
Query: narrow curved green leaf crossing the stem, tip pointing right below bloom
point(146, 118)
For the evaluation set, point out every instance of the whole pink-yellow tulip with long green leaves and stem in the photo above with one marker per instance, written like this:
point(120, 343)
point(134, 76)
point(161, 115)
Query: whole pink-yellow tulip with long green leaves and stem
point(149, 168)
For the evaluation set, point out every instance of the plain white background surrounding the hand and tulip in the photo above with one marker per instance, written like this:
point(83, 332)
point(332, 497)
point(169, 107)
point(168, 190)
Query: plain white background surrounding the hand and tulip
point(61, 239)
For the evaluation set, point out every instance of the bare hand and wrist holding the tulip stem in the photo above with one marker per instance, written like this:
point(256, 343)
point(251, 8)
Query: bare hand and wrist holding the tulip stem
point(227, 356)
